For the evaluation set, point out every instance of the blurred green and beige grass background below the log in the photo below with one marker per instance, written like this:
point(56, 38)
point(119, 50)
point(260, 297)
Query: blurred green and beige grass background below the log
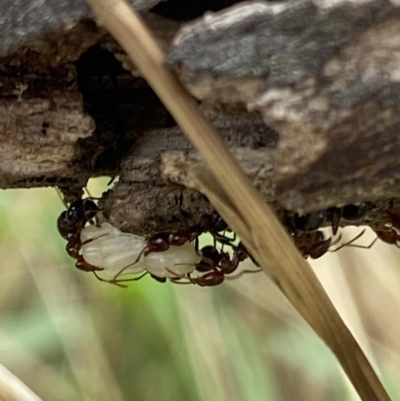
point(70, 337)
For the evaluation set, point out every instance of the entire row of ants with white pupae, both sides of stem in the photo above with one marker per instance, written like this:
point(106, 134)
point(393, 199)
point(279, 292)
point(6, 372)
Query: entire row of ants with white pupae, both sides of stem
point(175, 256)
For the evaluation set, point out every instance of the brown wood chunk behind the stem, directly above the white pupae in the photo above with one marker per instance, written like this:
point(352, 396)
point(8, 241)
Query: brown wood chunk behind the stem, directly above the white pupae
point(145, 198)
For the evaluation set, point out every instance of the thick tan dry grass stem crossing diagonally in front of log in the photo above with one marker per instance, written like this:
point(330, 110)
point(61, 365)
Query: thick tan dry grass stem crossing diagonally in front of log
point(238, 201)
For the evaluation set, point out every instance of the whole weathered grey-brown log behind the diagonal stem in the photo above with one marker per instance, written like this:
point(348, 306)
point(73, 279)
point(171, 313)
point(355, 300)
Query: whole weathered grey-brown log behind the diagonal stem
point(320, 79)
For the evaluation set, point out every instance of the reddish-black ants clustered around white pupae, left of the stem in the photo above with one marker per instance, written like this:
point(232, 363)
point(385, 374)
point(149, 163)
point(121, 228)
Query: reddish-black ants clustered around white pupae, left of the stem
point(164, 256)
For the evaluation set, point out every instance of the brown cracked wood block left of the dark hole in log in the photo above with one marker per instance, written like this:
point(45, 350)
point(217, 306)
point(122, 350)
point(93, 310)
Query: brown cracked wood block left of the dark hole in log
point(39, 130)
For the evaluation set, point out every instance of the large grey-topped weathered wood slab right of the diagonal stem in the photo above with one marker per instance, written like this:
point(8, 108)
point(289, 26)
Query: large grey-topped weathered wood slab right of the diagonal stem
point(323, 74)
